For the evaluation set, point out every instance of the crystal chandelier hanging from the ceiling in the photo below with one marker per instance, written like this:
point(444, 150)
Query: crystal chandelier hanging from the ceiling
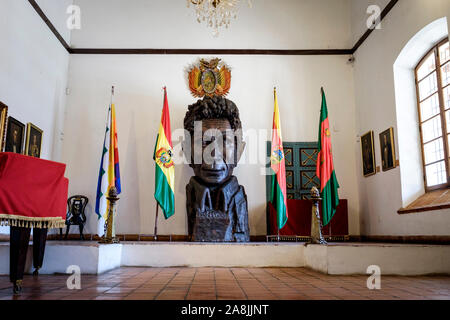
point(216, 13)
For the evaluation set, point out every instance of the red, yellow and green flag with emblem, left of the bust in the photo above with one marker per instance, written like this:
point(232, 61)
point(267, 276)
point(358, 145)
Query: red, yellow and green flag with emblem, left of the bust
point(165, 171)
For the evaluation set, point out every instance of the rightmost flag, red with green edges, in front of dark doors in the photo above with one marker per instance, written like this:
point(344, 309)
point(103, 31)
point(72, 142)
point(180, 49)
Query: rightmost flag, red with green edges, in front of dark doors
point(325, 169)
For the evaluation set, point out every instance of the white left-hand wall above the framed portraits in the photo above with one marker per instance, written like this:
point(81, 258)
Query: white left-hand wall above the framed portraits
point(33, 72)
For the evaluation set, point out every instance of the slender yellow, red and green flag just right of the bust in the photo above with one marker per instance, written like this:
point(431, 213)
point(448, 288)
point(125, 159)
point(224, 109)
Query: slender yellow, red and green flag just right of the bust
point(278, 196)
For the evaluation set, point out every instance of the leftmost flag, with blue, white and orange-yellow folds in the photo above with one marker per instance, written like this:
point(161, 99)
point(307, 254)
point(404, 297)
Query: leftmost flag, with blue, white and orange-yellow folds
point(109, 175)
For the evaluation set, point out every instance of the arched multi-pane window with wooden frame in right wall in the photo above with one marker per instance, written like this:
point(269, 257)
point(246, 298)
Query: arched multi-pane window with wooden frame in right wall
point(433, 96)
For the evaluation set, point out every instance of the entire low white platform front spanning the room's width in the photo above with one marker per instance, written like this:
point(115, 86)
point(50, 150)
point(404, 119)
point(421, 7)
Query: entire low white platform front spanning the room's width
point(336, 258)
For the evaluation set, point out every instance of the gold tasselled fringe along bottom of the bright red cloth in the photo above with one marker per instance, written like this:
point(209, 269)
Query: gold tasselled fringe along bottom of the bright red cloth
point(28, 222)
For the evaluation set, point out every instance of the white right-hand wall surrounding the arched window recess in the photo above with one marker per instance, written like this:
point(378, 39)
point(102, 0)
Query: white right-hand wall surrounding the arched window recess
point(380, 195)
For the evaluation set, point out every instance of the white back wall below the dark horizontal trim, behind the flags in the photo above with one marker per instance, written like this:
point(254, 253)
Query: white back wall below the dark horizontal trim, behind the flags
point(139, 81)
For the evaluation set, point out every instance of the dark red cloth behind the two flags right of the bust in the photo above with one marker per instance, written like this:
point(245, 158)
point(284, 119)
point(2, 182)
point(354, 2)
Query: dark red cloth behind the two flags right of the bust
point(299, 222)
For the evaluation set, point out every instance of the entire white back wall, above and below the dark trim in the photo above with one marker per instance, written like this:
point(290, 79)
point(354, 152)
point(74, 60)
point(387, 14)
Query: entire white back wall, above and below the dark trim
point(287, 24)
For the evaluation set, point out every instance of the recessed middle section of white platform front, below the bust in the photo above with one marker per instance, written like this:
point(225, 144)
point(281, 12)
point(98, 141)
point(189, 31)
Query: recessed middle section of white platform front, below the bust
point(188, 254)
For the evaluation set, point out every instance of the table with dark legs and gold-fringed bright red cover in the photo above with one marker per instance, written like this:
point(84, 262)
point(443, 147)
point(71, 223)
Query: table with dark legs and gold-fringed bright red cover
point(33, 195)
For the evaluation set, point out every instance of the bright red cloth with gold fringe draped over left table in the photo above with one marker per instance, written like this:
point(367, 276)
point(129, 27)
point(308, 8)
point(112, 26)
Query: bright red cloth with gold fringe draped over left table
point(33, 192)
